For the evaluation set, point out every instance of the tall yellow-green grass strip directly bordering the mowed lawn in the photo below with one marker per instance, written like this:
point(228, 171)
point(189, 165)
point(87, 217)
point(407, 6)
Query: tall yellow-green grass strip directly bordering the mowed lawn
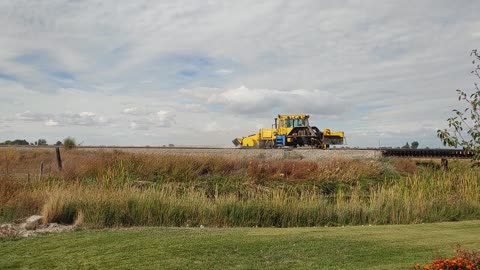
point(442, 197)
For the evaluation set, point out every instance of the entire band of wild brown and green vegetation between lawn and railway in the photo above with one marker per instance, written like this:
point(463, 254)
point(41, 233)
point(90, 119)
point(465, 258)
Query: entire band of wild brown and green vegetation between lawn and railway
point(114, 188)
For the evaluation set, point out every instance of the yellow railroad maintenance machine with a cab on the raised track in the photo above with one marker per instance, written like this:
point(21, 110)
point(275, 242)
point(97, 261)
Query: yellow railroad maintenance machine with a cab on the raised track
point(291, 130)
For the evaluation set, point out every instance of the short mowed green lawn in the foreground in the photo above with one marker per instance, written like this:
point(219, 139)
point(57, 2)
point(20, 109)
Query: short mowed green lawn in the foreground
point(360, 247)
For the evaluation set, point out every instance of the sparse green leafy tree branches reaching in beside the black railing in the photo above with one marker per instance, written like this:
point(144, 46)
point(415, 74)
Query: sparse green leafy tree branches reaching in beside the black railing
point(464, 125)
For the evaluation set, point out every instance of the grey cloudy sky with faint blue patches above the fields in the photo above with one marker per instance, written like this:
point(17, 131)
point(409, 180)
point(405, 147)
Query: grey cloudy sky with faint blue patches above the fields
point(112, 72)
